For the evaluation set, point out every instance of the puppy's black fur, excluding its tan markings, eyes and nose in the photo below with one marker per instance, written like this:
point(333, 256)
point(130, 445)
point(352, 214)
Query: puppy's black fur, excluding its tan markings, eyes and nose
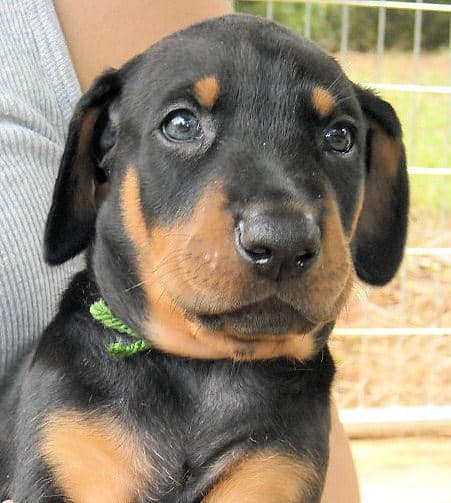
point(263, 141)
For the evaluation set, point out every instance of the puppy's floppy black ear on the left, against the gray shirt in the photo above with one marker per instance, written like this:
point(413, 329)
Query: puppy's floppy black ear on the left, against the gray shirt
point(81, 184)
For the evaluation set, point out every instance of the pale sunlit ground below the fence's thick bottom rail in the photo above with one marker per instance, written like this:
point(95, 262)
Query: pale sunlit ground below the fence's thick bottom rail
point(415, 470)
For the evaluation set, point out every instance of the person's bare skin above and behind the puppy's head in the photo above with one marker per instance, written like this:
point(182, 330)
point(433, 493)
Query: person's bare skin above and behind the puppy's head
point(106, 33)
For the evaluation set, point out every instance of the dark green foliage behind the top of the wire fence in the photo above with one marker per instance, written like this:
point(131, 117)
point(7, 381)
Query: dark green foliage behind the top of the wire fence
point(363, 22)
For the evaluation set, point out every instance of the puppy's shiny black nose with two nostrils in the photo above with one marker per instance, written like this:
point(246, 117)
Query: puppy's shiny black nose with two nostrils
point(279, 245)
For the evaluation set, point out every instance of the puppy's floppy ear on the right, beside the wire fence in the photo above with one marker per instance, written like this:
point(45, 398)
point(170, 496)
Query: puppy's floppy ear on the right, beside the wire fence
point(381, 231)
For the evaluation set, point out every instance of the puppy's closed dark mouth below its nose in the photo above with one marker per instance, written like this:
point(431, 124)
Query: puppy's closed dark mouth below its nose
point(270, 317)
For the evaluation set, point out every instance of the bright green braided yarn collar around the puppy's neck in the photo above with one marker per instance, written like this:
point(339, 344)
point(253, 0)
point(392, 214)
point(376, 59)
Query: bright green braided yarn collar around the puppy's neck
point(102, 313)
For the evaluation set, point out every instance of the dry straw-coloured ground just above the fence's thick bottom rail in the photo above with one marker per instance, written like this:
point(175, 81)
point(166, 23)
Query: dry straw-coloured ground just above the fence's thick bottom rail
point(384, 371)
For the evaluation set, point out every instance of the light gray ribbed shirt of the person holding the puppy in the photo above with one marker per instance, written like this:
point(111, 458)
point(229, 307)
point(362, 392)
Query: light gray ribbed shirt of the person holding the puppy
point(38, 91)
